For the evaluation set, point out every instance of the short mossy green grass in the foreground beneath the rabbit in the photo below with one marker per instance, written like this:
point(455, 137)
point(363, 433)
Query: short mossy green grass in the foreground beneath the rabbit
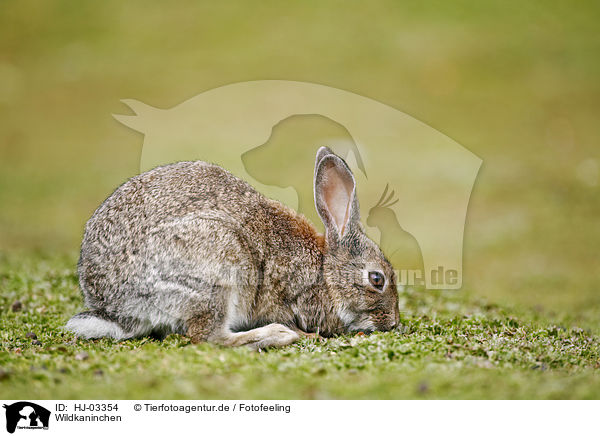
point(449, 346)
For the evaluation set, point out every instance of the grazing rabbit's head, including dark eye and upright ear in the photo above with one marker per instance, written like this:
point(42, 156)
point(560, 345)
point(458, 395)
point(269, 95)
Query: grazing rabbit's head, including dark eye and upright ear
point(357, 274)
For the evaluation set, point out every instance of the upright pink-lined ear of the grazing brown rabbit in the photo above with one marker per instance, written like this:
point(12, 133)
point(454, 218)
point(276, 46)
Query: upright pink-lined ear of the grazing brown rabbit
point(335, 196)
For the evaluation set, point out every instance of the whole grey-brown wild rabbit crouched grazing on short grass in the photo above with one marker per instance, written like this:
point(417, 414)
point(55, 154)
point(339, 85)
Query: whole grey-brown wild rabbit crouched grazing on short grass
point(189, 248)
